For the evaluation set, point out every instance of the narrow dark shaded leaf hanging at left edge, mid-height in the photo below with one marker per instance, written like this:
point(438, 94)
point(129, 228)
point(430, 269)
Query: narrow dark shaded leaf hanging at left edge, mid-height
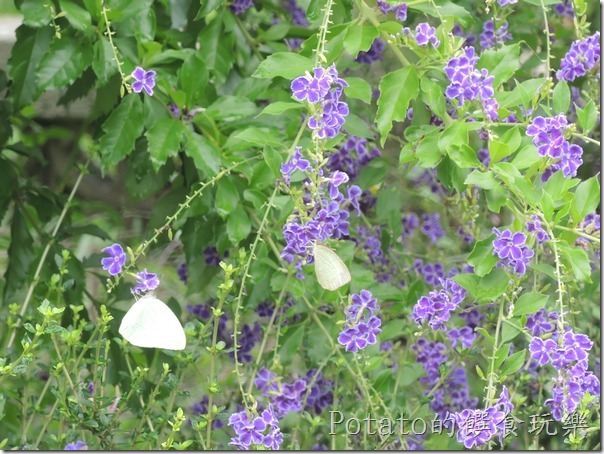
point(20, 255)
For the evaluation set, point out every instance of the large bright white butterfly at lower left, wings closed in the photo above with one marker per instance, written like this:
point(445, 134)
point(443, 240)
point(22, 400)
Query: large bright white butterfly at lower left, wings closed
point(151, 324)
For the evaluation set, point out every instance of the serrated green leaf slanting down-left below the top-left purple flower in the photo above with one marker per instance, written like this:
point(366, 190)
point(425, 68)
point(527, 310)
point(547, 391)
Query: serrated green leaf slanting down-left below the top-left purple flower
point(122, 128)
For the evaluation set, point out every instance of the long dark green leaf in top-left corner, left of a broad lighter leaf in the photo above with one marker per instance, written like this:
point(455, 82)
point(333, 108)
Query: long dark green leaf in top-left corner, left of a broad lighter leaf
point(28, 50)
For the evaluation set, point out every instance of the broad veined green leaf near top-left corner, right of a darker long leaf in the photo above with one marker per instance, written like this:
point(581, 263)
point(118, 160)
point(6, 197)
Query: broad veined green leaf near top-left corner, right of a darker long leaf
point(66, 59)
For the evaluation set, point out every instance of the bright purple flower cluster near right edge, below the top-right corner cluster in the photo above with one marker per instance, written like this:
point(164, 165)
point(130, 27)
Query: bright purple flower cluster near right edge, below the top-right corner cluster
point(548, 137)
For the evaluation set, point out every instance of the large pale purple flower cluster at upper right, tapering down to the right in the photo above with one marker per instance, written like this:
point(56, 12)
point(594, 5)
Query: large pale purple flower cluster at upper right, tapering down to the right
point(469, 83)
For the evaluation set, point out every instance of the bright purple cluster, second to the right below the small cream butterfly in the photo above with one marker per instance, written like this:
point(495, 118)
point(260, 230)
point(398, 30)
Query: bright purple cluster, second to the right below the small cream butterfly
point(435, 309)
